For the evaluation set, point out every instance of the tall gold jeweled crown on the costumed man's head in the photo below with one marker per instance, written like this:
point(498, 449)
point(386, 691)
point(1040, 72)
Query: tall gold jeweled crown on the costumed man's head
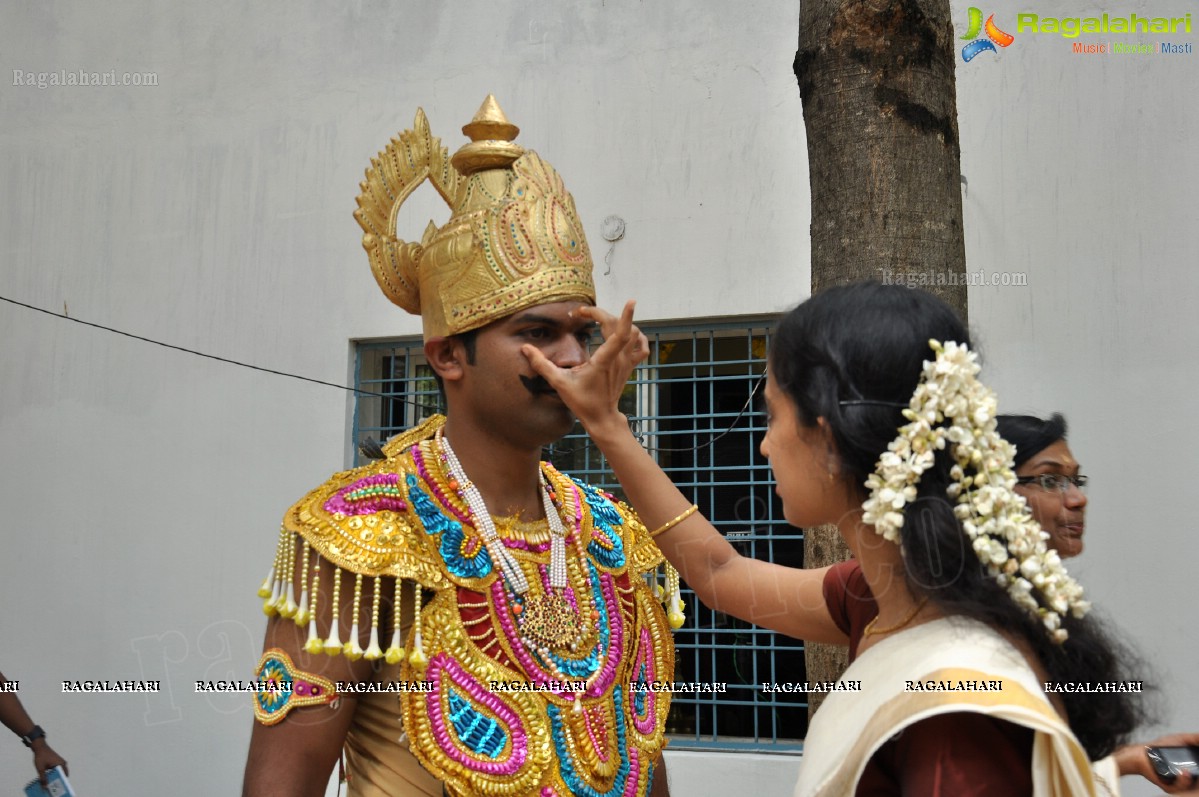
point(514, 239)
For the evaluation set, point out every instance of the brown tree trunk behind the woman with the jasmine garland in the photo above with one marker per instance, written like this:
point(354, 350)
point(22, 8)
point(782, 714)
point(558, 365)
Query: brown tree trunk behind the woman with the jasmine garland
point(881, 114)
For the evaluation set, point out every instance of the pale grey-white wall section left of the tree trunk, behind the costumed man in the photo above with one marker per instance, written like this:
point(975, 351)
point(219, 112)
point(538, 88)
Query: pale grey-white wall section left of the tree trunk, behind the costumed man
point(143, 487)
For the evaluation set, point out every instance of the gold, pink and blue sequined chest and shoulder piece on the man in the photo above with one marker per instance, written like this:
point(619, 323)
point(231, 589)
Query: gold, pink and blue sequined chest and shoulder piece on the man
point(565, 619)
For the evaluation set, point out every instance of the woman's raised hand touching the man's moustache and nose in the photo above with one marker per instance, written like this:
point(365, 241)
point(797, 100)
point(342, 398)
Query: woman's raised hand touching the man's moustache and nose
point(594, 389)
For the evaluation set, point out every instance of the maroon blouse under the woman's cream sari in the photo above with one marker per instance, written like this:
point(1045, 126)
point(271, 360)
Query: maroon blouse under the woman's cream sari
point(962, 754)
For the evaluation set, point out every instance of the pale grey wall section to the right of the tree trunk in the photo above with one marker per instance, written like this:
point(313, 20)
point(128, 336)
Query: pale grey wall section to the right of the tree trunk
point(1083, 173)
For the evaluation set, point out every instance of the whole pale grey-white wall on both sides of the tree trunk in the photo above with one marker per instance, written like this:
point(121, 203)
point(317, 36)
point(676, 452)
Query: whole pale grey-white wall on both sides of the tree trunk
point(142, 486)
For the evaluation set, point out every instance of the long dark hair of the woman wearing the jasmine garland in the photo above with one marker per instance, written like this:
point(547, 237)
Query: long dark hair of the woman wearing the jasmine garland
point(854, 355)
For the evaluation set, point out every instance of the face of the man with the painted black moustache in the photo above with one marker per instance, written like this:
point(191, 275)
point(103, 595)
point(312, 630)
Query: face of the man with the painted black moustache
point(502, 390)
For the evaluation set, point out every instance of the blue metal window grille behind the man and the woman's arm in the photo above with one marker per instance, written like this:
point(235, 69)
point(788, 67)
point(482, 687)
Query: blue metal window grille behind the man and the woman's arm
point(695, 406)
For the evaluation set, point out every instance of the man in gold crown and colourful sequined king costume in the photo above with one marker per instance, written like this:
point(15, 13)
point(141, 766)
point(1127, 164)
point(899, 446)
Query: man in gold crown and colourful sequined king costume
point(461, 618)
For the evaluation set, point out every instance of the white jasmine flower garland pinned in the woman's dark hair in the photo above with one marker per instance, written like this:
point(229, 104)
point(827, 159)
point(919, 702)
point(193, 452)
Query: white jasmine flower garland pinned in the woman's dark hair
point(993, 516)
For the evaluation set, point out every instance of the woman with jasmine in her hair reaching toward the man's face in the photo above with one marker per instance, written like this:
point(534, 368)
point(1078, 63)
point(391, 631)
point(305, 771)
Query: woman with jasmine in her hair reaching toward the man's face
point(877, 422)
